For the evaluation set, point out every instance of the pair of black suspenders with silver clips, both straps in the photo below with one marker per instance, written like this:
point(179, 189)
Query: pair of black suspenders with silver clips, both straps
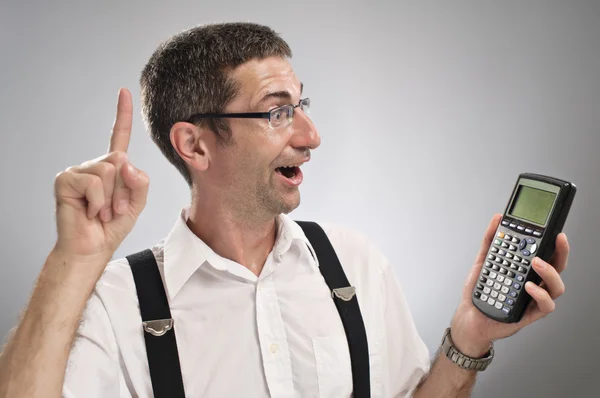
point(159, 332)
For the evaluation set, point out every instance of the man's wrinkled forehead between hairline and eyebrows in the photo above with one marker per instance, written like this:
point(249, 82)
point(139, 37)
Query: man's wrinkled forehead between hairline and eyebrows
point(257, 77)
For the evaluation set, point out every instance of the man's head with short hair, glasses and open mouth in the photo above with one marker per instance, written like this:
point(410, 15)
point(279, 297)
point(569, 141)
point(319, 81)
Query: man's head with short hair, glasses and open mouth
point(228, 68)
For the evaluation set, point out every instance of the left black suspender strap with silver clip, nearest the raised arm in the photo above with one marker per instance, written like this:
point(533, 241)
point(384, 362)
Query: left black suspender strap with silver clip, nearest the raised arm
point(161, 346)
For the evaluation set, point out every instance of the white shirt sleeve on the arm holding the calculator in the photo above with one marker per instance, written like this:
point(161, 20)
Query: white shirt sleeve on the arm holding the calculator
point(408, 356)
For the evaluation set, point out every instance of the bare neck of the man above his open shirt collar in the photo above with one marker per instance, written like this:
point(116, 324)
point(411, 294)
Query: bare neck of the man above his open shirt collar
point(245, 239)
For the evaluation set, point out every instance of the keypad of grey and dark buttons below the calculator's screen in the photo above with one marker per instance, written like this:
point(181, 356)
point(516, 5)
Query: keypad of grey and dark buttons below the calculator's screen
point(505, 270)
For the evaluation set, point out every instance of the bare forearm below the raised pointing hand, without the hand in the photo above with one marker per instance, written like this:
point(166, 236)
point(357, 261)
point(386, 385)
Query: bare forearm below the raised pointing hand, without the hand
point(34, 360)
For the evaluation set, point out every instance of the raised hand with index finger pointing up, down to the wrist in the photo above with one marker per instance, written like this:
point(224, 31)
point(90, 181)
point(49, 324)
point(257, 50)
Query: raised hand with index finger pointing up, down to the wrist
point(99, 201)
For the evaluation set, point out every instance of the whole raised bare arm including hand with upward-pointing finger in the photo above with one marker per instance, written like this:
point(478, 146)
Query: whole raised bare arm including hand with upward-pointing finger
point(97, 205)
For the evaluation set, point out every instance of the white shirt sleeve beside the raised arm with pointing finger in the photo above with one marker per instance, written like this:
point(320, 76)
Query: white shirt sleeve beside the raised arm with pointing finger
point(93, 367)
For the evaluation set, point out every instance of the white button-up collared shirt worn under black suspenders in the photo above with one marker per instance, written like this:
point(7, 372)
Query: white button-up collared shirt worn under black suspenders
point(239, 335)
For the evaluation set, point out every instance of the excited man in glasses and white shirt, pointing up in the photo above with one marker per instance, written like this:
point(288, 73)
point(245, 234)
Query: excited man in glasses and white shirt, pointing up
point(252, 314)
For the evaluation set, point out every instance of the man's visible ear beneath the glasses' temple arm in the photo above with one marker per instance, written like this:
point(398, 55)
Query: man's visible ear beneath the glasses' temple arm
point(193, 144)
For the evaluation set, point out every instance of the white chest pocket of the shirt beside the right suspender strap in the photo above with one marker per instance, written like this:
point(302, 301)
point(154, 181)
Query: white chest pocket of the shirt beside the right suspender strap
point(334, 370)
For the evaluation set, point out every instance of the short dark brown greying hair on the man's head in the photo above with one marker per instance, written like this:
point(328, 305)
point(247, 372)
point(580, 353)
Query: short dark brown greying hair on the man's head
point(189, 74)
